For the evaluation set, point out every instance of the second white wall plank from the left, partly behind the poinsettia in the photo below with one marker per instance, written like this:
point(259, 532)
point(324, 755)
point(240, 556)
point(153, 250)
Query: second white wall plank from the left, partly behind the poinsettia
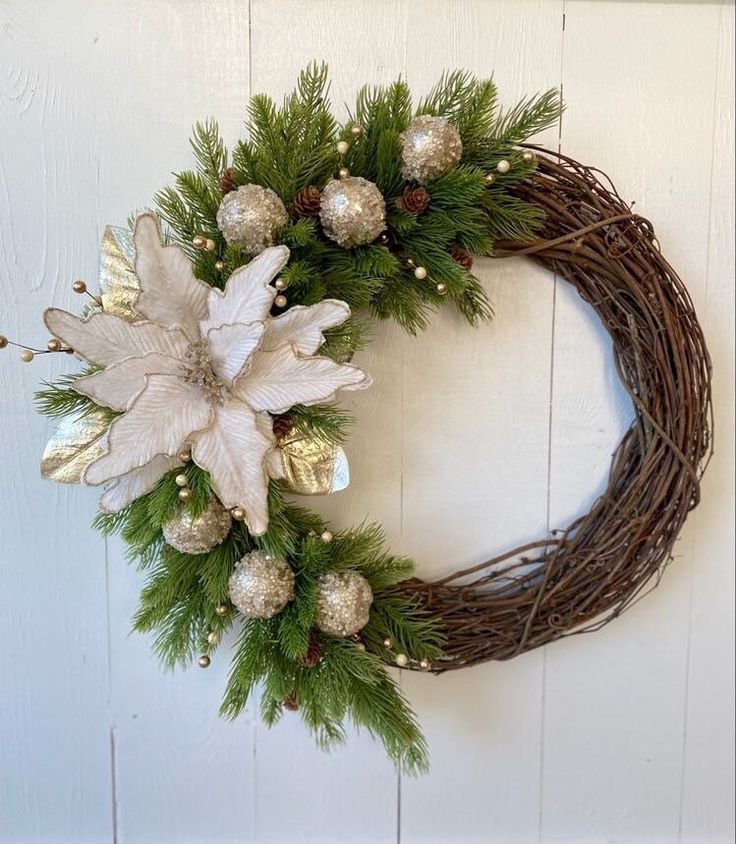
point(182, 773)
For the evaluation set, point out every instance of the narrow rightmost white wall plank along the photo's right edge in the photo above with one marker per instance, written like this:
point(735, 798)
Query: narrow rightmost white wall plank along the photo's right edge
point(708, 778)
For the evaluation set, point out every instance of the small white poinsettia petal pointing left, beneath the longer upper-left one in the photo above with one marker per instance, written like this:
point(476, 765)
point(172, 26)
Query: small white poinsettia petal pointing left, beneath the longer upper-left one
point(119, 384)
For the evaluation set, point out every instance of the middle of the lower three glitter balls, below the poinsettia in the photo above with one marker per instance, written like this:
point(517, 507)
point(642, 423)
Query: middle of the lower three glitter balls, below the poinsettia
point(261, 586)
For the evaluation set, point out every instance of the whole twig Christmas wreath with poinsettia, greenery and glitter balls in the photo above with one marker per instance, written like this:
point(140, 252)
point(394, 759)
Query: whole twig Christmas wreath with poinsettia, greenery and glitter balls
point(227, 320)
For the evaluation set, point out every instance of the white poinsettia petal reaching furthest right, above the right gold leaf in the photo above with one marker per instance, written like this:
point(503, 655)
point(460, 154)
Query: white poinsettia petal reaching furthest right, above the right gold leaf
point(280, 379)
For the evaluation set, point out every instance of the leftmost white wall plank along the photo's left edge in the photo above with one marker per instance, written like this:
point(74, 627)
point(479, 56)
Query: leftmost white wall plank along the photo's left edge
point(55, 776)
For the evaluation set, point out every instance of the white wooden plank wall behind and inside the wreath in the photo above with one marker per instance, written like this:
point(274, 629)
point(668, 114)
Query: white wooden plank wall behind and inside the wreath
point(469, 442)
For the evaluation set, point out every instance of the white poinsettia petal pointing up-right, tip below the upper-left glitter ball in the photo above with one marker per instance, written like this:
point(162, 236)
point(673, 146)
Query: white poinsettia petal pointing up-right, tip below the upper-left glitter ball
point(248, 295)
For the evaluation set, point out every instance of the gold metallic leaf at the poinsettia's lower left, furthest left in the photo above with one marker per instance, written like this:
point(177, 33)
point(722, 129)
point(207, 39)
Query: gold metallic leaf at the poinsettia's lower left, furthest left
point(75, 444)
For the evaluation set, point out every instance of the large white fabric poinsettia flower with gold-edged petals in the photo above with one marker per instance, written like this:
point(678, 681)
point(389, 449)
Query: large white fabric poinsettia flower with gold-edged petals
point(202, 370)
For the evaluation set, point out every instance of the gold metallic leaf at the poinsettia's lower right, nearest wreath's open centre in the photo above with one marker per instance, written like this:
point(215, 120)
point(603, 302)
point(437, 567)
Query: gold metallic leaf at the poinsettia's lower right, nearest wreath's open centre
point(311, 467)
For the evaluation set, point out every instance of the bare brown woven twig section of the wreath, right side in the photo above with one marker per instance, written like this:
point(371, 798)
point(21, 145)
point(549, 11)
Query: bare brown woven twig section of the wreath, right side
point(588, 574)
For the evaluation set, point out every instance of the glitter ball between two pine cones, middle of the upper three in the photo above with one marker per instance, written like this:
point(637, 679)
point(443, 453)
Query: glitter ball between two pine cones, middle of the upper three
point(352, 211)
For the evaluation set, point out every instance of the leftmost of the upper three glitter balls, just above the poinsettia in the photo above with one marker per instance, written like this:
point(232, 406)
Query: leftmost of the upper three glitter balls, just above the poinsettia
point(251, 216)
